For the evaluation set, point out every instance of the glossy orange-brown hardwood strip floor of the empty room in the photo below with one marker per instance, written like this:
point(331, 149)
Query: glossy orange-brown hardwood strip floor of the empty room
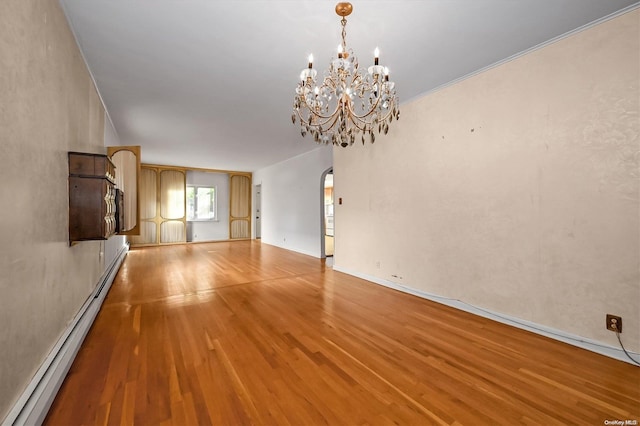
point(245, 333)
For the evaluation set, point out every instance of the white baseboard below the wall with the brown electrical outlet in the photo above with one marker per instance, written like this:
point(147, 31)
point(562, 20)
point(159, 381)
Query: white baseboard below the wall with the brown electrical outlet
point(572, 339)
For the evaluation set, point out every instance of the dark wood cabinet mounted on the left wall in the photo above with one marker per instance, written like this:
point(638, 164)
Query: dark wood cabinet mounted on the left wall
point(92, 197)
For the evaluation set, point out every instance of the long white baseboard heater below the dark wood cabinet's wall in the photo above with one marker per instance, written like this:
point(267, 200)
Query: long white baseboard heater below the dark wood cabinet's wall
point(34, 403)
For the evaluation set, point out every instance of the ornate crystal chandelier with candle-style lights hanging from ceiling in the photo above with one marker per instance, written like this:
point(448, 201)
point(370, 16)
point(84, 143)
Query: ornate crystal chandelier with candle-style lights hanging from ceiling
point(346, 105)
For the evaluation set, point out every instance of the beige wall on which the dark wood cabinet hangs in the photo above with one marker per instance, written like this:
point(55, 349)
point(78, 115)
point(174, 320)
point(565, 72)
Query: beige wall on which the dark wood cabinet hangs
point(48, 106)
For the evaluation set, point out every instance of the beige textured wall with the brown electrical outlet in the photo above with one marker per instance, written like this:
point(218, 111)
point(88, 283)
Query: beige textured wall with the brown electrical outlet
point(515, 190)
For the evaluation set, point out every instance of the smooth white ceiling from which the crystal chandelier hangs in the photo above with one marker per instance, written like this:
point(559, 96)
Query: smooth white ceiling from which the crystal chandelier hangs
point(210, 83)
